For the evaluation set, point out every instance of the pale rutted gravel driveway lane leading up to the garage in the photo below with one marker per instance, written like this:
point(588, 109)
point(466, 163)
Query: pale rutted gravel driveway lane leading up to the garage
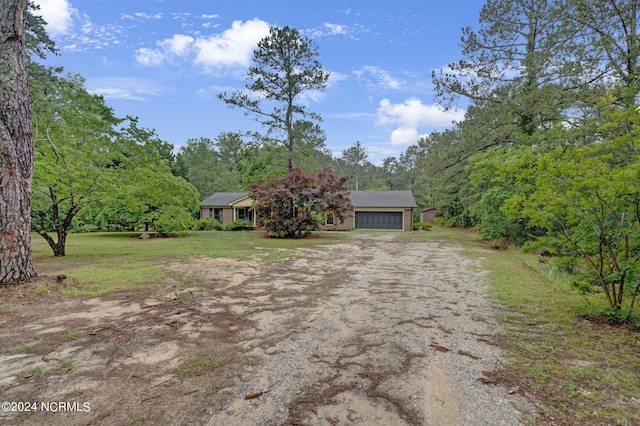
point(375, 331)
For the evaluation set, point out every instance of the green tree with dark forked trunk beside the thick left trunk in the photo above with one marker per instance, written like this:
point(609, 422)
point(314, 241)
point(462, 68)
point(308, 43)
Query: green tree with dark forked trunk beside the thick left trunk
point(74, 166)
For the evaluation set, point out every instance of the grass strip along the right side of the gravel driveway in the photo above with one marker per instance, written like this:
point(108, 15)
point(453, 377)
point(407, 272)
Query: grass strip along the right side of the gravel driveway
point(577, 371)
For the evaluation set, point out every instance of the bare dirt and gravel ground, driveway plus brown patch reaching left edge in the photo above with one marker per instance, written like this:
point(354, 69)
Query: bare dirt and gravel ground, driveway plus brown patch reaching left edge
point(375, 331)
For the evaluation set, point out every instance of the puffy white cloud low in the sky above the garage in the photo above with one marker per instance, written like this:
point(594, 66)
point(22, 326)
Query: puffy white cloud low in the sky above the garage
point(412, 115)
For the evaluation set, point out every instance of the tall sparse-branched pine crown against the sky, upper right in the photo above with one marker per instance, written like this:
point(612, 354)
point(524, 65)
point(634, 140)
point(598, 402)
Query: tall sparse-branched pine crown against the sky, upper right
point(511, 63)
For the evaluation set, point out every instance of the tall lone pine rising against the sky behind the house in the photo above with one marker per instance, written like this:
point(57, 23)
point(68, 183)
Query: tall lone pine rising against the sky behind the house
point(285, 67)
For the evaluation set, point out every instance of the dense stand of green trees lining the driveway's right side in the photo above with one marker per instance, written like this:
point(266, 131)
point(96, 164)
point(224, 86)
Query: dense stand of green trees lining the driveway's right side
point(547, 154)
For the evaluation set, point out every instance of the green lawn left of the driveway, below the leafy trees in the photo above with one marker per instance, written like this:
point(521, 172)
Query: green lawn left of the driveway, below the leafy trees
point(97, 264)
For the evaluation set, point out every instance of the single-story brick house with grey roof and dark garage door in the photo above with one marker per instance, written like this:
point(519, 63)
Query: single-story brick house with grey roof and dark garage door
point(372, 210)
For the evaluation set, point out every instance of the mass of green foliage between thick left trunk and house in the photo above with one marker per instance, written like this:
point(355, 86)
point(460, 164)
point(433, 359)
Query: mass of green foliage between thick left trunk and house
point(91, 175)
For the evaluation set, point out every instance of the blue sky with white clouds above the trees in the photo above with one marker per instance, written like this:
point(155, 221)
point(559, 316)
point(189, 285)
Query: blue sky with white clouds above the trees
point(165, 61)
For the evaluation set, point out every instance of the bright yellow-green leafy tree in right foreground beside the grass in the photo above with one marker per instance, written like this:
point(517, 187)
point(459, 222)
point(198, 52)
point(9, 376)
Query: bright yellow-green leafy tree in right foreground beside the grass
point(589, 206)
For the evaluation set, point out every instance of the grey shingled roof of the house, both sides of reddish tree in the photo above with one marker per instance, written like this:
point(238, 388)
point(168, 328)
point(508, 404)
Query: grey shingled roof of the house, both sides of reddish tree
point(360, 199)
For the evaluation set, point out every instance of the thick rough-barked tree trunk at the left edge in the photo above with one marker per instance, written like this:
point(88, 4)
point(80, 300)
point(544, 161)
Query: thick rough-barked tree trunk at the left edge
point(16, 147)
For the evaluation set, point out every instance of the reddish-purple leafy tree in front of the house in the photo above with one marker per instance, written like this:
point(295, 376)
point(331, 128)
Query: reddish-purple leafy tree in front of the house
point(292, 206)
